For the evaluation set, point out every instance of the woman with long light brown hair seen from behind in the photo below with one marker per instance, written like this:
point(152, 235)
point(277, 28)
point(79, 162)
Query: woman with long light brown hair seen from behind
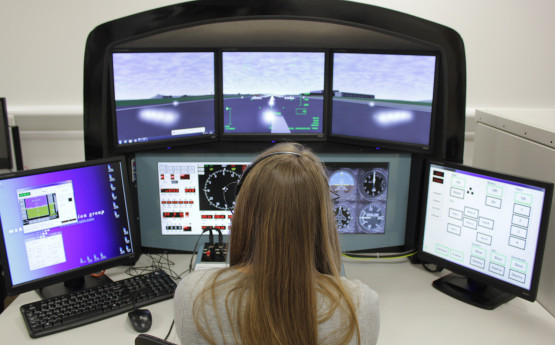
point(283, 285)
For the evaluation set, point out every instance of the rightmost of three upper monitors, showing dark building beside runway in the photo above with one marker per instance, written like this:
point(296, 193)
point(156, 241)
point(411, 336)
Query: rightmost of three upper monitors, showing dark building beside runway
point(384, 99)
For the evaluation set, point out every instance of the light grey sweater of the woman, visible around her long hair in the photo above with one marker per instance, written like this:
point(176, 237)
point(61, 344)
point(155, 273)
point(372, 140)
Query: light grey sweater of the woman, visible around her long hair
point(364, 298)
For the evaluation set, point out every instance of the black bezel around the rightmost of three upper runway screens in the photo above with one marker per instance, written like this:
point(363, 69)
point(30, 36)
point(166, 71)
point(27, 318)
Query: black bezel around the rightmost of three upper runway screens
point(426, 150)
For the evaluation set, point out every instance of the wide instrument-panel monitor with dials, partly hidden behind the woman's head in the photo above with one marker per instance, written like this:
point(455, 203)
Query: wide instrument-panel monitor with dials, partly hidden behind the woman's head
point(182, 194)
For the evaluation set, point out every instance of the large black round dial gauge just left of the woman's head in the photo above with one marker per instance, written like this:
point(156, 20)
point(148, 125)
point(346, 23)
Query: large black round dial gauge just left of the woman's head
point(219, 188)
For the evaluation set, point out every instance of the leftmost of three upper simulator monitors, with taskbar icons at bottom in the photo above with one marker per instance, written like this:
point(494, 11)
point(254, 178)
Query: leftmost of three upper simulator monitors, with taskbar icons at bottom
point(163, 98)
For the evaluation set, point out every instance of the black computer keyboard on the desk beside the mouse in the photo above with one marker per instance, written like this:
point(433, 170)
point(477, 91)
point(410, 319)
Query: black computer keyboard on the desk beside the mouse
point(79, 308)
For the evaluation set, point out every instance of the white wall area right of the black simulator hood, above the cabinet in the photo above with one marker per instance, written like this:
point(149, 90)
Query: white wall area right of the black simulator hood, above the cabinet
point(509, 47)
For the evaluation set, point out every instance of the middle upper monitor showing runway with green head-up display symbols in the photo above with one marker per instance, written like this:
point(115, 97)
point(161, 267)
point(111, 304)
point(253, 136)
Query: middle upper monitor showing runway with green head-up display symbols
point(272, 95)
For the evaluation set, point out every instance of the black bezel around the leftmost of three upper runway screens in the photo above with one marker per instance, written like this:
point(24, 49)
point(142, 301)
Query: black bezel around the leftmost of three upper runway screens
point(163, 143)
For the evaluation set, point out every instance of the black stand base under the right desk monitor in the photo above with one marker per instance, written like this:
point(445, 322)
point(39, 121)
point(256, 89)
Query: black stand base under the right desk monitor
point(472, 292)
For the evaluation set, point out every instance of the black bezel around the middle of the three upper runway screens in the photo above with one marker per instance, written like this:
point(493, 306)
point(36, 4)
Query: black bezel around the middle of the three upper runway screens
point(272, 137)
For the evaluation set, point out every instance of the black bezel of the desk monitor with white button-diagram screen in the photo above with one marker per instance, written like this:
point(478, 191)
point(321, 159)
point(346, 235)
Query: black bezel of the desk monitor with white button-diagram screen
point(426, 257)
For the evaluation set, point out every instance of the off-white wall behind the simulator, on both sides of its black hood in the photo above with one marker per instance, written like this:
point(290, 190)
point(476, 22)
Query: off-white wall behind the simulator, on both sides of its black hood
point(509, 60)
